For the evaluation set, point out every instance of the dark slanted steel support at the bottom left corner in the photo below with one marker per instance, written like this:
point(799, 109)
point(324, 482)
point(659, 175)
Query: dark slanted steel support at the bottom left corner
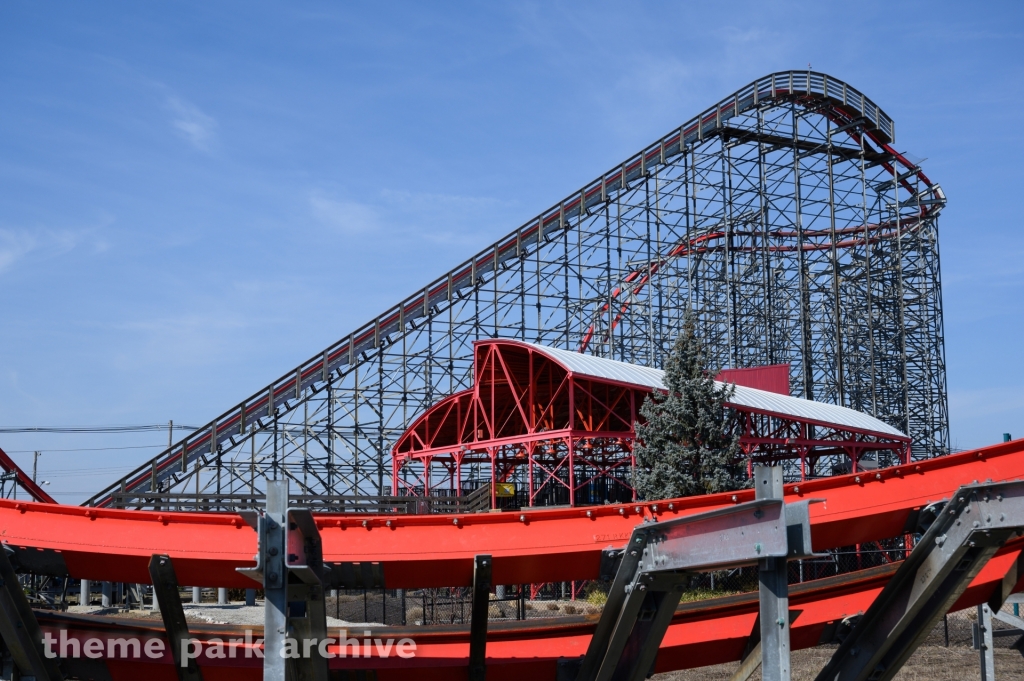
point(20, 629)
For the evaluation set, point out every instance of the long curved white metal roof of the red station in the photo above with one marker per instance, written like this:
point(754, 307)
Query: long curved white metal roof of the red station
point(587, 365)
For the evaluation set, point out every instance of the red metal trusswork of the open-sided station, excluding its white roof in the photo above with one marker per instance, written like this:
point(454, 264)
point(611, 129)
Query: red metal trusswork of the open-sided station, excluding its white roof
point(529, 410)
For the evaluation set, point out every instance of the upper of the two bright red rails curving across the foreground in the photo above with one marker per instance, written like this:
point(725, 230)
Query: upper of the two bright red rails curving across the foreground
point(531, 546)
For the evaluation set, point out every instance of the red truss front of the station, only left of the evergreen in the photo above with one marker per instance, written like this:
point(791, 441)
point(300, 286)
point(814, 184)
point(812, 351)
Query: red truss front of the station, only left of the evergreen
point(524, 409)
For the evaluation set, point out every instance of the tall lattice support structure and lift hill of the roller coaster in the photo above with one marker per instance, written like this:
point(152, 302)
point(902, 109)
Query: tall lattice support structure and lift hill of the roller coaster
point(783, 216)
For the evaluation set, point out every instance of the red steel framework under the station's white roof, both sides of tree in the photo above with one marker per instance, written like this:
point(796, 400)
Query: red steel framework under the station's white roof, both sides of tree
point(475, 424)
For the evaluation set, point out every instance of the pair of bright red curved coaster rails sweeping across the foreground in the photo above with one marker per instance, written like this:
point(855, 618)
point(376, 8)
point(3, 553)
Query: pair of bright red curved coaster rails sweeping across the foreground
point(553, 545)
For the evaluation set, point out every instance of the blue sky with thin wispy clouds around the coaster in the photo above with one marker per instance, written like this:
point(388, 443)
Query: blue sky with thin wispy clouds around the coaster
point(197, 197)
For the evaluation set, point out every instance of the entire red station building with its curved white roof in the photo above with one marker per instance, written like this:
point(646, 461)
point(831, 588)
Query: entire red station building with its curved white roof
point(553, 428)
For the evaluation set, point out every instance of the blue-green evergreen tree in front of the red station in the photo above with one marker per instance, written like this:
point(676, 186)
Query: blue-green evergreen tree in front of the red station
point(687, 448)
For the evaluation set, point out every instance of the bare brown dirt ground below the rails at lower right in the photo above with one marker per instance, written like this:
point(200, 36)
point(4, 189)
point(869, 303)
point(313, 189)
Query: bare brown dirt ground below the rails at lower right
point(930, 663)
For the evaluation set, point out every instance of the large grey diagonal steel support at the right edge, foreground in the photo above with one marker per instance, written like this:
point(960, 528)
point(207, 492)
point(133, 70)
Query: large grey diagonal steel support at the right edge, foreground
point(968, 532)
